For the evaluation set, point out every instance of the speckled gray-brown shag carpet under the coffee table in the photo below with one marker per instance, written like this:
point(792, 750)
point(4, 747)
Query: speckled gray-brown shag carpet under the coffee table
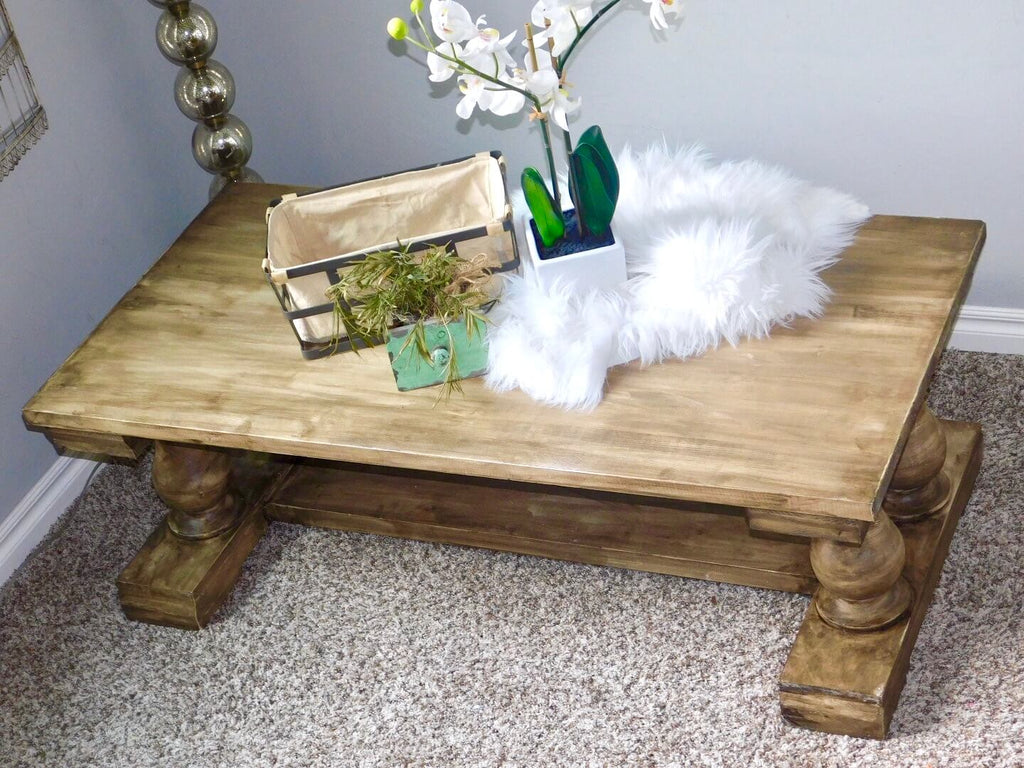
point(343, 650)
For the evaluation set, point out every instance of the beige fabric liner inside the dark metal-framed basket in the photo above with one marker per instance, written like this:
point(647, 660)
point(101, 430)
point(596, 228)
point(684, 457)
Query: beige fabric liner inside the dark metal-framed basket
point(431, 205)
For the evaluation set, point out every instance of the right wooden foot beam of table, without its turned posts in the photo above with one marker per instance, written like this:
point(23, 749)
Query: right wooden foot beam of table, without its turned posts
point(849, 682)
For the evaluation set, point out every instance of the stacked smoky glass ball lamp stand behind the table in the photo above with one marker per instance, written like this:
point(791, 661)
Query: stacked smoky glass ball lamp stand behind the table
point(204, 91)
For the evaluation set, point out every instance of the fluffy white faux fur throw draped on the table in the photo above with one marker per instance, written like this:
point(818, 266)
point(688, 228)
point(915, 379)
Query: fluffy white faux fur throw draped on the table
point(714, 251)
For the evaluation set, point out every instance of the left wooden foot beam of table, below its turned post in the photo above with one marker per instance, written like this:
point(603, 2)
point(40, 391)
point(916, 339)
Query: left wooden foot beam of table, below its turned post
point(181, 583)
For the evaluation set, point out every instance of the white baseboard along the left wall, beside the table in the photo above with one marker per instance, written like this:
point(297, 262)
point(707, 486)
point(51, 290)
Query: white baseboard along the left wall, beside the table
point(28, 524)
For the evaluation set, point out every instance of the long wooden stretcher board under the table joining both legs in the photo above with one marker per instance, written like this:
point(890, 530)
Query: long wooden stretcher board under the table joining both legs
point(680, 539)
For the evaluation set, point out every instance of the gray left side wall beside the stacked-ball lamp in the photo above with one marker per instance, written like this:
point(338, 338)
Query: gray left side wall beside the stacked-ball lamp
point(92, 206)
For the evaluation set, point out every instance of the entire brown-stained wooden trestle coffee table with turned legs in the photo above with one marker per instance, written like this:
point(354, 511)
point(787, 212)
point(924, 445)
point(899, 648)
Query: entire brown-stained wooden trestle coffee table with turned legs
point(806, 462)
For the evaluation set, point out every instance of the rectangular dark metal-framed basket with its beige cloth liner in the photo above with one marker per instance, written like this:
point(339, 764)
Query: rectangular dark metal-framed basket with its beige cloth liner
point(313, 236)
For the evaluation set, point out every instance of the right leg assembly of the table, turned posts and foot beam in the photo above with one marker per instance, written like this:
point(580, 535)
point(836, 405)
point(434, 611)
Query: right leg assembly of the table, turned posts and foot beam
point(849, 662)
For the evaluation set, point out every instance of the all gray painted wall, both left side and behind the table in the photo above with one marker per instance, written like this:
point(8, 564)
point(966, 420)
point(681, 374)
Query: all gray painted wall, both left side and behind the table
point(914, 107)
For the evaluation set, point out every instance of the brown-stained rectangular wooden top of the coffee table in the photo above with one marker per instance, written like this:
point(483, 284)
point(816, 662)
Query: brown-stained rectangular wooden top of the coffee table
point(810, 420)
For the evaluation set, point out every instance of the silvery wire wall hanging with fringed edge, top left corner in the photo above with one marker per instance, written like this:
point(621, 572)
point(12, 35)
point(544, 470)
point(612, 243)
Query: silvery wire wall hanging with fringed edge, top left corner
point(23, 120)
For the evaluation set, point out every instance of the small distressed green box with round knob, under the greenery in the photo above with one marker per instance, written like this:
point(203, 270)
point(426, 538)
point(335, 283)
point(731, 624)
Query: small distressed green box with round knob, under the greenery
point(413, 372)
